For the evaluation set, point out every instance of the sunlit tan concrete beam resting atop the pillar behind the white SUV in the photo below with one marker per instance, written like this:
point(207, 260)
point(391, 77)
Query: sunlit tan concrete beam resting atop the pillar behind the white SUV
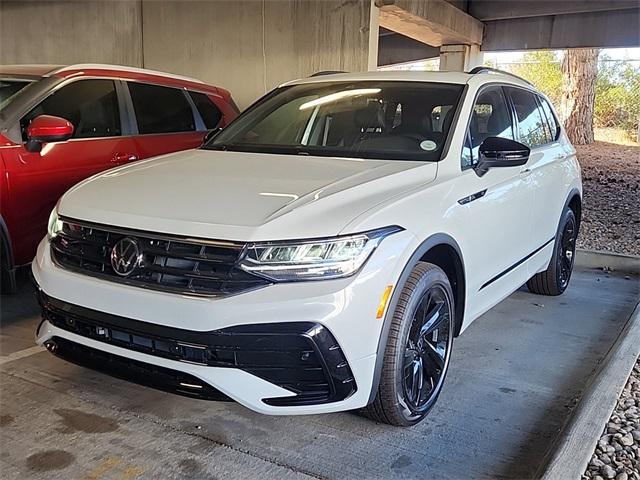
point(434, 22)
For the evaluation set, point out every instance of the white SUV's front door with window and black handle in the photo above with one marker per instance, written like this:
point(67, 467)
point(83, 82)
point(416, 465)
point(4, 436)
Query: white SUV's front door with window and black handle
point(495, 210)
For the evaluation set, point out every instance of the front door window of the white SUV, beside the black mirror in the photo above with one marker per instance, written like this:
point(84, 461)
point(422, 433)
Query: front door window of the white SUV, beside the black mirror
point(490, 118)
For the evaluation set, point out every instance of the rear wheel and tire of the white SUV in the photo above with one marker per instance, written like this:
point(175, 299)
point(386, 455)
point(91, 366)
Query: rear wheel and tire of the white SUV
point(555, 279)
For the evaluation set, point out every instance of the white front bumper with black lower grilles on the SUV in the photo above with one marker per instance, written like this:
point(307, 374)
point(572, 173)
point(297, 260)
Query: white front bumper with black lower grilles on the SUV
point(284, 349)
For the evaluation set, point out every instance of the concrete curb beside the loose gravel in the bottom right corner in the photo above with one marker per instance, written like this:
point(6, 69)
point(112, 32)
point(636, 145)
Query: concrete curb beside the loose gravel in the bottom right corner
point(573, 449)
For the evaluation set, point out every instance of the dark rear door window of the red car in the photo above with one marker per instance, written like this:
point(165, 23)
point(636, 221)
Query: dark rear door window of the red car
point(161, 109)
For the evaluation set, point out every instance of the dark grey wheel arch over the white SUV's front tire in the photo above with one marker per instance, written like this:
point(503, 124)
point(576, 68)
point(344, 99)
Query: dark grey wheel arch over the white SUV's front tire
point(441, 250)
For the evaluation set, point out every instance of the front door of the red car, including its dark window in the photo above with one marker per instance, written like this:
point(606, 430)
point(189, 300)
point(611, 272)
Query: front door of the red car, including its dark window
point(35, 180)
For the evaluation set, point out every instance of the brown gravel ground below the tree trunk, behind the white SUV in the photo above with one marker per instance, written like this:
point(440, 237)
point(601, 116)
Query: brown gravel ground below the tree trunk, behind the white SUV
point(611, 181)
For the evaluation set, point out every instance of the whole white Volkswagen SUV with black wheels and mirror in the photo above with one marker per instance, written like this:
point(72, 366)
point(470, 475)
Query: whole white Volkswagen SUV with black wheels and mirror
point(321, 252)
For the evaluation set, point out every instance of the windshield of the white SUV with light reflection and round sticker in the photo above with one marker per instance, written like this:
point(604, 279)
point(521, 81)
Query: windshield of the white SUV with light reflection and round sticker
point(381, 120)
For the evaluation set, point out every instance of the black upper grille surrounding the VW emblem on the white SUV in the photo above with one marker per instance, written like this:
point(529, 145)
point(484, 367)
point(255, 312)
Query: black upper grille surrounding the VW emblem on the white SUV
point(165, 263)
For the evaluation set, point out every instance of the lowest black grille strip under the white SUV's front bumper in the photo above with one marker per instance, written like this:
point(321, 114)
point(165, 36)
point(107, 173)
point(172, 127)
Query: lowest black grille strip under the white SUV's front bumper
point(134, 371)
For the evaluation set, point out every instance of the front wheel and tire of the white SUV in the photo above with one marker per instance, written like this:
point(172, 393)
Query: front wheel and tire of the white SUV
point(417, 353)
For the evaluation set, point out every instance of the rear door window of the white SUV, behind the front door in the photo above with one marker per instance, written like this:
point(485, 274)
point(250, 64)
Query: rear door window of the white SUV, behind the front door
point(532, 124)
